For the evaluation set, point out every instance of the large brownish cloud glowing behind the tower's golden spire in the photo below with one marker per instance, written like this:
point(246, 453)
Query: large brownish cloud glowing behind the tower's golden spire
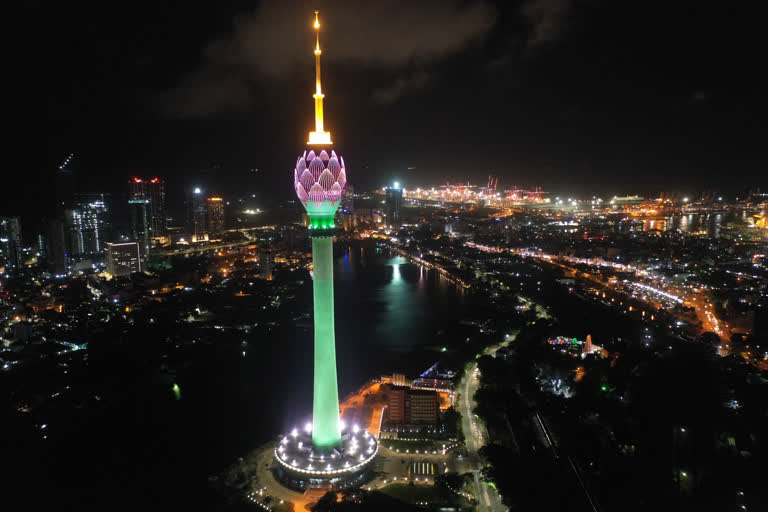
point(272, 44)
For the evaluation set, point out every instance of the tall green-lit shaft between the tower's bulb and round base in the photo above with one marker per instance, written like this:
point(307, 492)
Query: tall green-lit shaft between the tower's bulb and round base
point(326, 432)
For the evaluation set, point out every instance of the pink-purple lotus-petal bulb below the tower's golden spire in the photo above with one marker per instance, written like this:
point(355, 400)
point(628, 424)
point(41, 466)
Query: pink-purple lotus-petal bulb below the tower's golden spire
point(320, 181)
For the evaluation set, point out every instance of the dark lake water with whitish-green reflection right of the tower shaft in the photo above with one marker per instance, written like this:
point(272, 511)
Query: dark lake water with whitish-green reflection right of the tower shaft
point(387, 309)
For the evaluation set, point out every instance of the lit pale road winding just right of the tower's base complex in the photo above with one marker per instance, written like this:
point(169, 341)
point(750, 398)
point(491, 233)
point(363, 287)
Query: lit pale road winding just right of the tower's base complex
point(475, 435)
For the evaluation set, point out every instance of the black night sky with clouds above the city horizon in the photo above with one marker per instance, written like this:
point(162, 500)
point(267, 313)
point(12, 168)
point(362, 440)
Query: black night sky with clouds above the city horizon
point(590, 96)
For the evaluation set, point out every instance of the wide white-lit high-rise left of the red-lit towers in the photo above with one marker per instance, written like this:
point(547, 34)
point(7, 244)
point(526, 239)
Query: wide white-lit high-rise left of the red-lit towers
point(87, 225)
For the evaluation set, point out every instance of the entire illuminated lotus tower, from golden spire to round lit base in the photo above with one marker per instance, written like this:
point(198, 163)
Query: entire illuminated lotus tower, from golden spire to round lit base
point(325, 453)
